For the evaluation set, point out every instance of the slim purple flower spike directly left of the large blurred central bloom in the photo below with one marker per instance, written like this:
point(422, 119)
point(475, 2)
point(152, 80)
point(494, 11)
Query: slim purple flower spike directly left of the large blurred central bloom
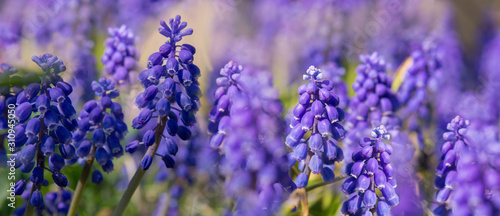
point(227, 90)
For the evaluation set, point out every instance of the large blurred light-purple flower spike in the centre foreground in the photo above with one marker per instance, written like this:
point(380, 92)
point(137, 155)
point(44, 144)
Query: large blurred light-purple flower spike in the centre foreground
point(254, 160)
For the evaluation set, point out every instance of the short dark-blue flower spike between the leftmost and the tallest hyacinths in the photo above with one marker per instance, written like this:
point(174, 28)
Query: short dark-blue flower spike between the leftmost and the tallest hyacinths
point(100, 128)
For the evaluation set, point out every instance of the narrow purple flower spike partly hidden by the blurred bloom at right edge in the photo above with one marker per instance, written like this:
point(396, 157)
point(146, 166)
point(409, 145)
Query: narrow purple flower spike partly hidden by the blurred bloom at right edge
point(446, 171)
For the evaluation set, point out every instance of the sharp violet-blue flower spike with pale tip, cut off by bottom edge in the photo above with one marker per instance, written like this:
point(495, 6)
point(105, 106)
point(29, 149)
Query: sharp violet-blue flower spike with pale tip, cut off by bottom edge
point(370, 170)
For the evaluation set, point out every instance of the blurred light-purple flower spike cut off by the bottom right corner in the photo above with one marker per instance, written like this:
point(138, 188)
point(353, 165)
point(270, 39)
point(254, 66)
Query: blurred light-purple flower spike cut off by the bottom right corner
point(477, 182)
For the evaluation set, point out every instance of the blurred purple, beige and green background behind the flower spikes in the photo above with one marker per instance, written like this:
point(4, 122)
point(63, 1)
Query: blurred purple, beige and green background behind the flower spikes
point(282, 37)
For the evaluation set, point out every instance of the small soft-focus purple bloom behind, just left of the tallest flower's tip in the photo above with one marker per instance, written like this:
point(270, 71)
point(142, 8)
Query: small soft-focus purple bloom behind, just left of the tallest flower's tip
point(120, 56)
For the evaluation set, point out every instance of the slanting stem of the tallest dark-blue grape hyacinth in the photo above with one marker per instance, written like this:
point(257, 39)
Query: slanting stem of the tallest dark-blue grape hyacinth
point(139, 174)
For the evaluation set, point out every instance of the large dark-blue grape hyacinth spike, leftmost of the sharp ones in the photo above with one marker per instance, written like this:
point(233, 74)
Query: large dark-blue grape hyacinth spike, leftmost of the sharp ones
point(48, 130)
